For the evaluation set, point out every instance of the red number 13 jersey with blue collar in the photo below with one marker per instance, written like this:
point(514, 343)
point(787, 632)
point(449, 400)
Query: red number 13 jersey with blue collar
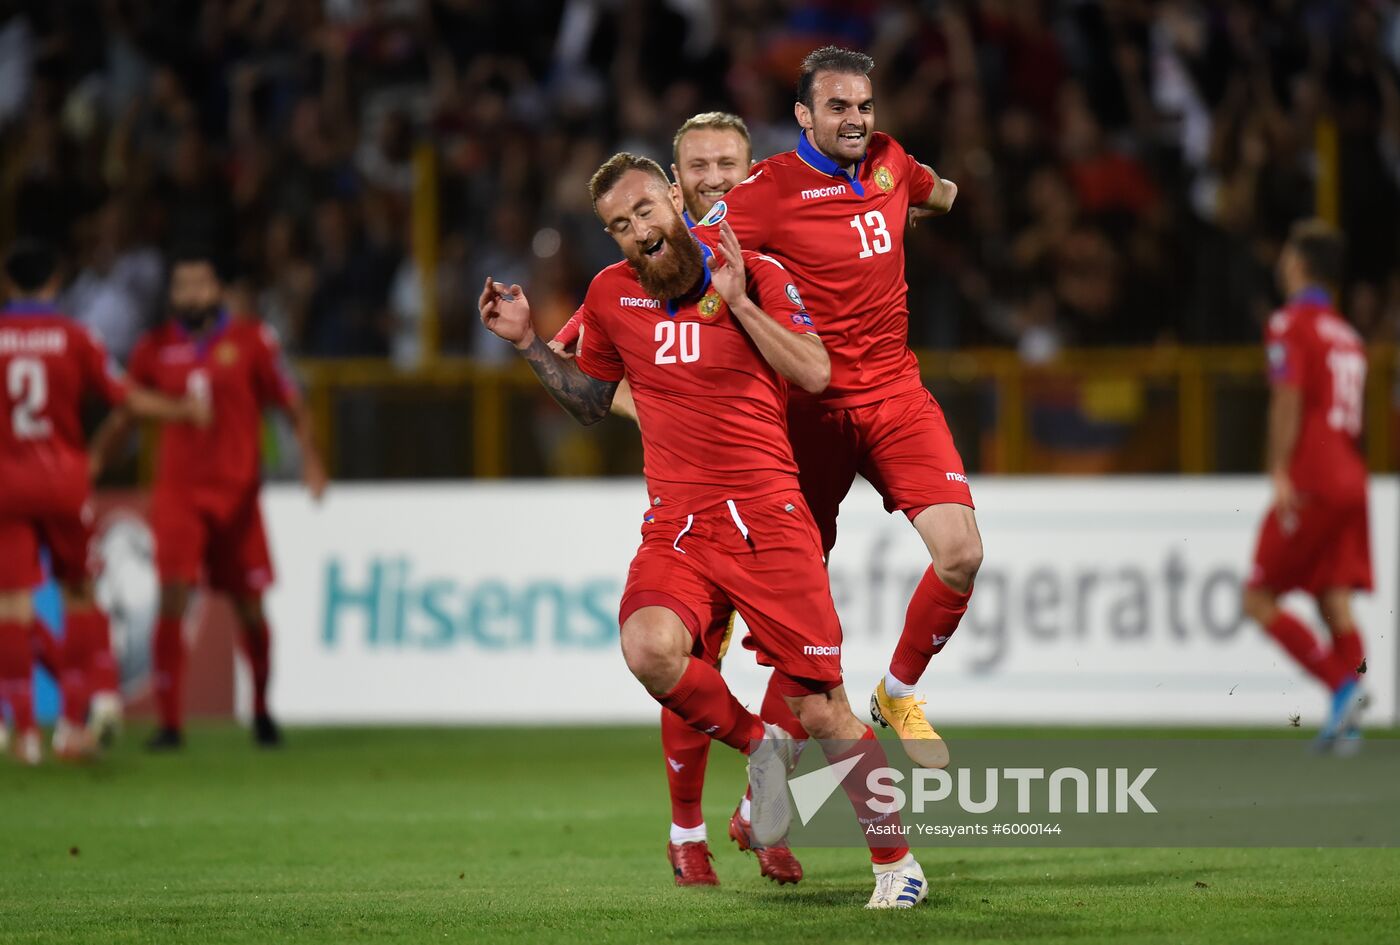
point(845, 239)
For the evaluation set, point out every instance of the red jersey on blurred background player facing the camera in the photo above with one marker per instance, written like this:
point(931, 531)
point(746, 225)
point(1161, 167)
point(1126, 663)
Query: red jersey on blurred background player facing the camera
point(239, 369)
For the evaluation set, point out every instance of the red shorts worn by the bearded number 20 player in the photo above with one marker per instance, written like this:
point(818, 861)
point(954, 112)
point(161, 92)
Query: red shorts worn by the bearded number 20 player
point(702, 568)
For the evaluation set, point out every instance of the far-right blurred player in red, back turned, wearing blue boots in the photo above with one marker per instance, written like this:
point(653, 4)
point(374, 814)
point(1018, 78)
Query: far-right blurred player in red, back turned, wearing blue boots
point(1315, 538)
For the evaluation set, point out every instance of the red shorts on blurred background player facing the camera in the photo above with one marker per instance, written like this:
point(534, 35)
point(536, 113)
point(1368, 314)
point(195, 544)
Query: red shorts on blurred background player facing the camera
point(213, 535)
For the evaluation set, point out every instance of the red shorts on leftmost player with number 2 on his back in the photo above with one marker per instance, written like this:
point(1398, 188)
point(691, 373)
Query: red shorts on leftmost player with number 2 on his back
point(45, 506)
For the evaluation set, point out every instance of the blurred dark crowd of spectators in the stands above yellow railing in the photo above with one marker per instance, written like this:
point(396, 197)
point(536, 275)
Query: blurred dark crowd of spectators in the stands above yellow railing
point(1128, 169)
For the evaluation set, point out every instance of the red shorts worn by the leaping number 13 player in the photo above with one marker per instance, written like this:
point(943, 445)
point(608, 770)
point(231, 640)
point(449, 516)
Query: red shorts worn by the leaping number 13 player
point(901, 444)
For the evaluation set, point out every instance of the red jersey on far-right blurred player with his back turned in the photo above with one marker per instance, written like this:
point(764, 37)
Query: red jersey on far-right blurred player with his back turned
point(1314, 349)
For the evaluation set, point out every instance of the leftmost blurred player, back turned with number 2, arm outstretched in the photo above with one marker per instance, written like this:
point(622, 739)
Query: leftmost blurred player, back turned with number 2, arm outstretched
point(48, 366)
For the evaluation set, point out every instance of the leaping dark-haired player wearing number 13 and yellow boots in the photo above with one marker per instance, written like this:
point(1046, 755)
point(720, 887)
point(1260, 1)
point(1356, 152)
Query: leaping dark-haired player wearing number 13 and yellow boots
point(834, 212)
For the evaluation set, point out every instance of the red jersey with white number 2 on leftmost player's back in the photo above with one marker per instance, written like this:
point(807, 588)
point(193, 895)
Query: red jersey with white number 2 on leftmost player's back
point(48, 366)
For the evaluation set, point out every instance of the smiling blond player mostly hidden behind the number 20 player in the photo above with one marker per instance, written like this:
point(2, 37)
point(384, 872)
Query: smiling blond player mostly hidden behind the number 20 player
point(710, 155)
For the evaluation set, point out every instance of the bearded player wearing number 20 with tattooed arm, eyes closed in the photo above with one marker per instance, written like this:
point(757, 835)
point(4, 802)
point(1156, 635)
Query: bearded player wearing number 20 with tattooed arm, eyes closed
point(706, 341)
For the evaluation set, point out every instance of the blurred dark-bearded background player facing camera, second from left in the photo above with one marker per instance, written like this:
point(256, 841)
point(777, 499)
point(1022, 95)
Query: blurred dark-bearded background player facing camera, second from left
point(205, 507)
